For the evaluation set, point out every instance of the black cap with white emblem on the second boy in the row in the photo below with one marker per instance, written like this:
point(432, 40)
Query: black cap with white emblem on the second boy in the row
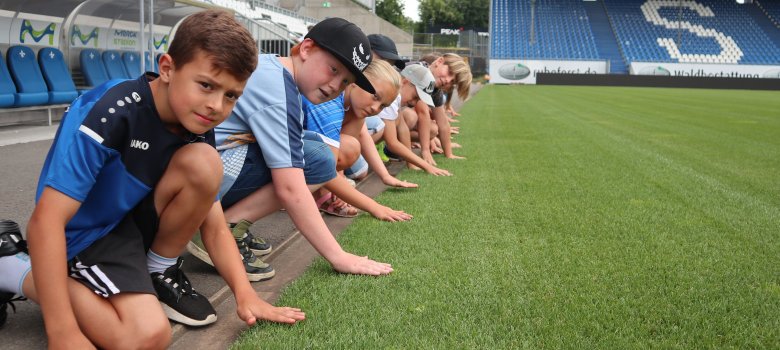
point(344, 40)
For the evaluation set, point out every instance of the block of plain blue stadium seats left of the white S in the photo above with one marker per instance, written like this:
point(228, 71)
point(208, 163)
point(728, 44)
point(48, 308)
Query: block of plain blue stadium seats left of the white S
point(550, 29)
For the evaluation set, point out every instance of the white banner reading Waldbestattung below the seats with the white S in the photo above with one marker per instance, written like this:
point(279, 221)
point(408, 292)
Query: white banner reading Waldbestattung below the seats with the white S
point(705, 70)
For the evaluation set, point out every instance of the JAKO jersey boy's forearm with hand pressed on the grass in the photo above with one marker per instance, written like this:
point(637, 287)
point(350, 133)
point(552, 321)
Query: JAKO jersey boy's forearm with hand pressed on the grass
point(222, 249)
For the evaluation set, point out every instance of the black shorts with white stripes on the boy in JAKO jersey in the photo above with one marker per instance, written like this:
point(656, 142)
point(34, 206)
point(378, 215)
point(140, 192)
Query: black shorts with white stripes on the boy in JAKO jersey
point(116, 263)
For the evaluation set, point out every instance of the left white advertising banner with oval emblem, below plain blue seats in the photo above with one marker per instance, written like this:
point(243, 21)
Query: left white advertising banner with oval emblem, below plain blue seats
point(524, 71)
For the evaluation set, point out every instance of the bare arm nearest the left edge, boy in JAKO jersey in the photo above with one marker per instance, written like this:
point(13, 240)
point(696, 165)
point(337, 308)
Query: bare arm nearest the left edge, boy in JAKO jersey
point(46, 238)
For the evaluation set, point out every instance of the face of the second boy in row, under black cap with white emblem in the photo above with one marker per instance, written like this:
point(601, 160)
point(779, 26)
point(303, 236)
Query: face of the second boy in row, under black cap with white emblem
point(321, 77)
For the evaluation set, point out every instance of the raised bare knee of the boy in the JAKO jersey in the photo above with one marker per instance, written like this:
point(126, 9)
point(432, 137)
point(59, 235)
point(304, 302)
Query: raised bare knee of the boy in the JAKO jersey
point(200, 166)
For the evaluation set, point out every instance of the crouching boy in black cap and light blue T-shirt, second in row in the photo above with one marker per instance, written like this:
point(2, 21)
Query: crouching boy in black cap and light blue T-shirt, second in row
point(267, 164)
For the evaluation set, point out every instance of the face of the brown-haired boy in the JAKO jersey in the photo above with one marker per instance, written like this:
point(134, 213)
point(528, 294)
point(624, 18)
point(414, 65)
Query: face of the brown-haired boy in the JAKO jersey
point(199, 96)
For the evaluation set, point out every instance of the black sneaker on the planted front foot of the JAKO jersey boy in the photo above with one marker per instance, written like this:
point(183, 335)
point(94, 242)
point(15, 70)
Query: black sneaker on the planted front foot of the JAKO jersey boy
point(179, 300)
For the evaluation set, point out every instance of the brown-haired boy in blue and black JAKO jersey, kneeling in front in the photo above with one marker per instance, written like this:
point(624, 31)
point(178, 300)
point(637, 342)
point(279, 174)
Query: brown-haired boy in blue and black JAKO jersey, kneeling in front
point(130, 177)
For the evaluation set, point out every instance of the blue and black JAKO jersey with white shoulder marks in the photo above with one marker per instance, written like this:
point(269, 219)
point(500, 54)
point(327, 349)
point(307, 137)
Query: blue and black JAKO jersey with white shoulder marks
point(110, 151)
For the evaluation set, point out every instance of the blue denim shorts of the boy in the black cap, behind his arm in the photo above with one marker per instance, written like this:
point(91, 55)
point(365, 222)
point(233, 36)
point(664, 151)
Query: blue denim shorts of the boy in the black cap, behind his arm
point(320, 168)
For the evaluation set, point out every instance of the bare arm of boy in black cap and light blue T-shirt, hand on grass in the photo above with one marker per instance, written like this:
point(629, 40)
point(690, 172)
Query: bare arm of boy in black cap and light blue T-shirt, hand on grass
point(291, 189)
